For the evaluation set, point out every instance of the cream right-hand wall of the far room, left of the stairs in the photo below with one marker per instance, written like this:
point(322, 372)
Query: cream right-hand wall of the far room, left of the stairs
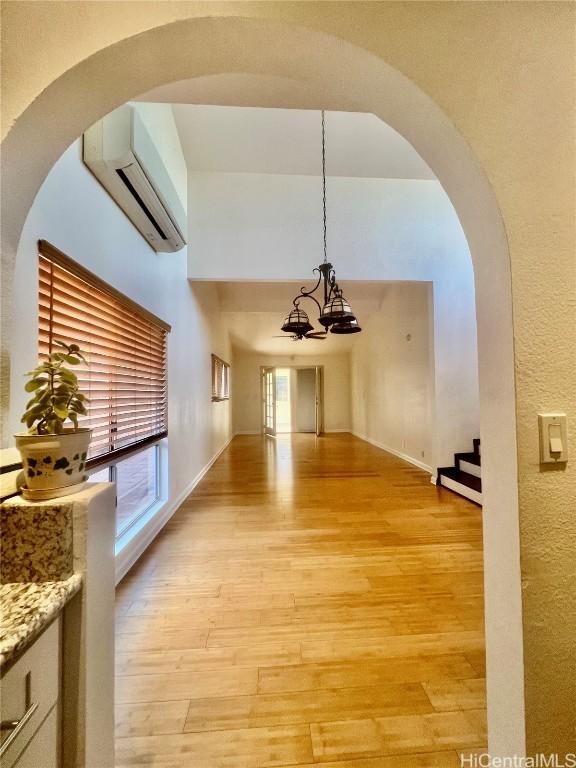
point(392, 376)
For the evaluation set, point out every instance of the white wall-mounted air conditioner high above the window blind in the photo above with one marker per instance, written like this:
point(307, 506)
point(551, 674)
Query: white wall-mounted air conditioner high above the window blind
point(120, 153)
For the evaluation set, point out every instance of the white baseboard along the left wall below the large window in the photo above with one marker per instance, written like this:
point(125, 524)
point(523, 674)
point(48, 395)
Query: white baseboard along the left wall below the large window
point(151, 527)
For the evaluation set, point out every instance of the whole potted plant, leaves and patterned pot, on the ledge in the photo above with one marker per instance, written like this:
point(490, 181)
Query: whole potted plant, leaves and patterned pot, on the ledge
point(53, 455)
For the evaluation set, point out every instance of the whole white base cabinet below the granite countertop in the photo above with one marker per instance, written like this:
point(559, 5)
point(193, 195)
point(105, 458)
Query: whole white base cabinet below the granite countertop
point(30, 705)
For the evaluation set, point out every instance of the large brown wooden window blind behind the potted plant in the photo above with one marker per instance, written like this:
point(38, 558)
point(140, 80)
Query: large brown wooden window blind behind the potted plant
point(125, 379)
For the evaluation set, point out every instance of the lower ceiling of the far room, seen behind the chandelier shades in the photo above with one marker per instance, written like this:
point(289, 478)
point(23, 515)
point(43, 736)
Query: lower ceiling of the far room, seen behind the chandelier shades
point(254, 312)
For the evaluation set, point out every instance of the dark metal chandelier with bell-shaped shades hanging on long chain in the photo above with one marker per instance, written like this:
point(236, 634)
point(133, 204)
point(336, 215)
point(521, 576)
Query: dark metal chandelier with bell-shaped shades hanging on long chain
point(336, 315)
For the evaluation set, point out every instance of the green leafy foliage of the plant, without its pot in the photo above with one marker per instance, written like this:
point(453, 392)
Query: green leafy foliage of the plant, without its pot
point(57, 396)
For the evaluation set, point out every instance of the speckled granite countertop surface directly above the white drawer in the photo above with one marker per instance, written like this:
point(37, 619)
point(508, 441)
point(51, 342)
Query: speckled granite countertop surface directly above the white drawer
point(27, 608)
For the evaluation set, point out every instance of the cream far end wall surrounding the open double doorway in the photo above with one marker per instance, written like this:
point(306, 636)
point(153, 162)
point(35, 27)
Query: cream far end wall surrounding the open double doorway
point(246, 393)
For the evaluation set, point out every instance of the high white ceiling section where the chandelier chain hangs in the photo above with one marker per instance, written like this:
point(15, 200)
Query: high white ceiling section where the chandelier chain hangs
point(288, 141)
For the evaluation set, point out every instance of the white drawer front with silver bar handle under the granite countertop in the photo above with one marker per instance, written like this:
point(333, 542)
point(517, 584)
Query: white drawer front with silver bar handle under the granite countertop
point(29, 691)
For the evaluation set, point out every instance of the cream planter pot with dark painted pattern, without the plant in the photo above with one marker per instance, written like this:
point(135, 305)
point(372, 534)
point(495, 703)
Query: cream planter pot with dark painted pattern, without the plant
point(52, 462)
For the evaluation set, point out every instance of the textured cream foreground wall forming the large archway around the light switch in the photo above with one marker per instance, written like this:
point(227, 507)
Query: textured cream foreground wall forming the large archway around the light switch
point(527, 156)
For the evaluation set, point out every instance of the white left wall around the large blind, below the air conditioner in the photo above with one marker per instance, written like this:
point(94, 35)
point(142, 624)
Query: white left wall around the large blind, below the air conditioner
point(74, 213)
